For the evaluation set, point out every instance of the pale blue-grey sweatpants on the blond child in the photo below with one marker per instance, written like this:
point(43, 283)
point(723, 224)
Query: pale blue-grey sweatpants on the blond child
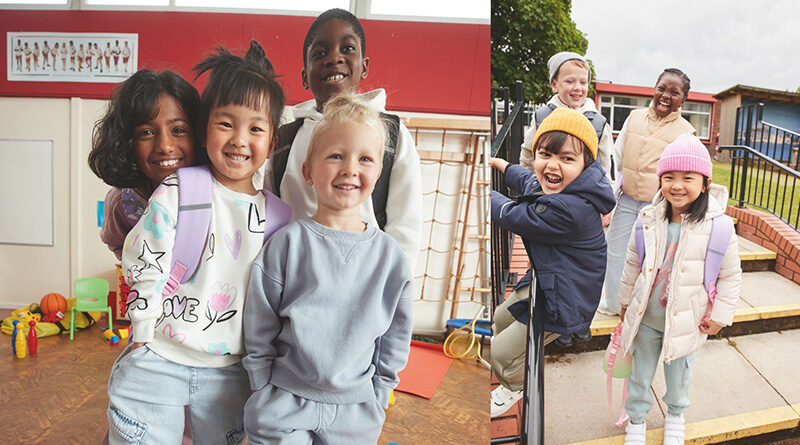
point(274, 416)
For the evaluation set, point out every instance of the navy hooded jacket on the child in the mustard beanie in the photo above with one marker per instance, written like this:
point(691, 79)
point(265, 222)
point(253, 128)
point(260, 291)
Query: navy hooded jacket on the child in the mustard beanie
point(564, 239)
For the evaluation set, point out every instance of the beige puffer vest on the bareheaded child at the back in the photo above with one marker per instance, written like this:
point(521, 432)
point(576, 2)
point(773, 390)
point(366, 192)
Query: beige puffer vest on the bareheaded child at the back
point(646, 136)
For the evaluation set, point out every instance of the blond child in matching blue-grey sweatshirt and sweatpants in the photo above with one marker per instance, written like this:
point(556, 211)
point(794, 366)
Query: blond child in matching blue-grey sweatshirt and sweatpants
point(328, 311)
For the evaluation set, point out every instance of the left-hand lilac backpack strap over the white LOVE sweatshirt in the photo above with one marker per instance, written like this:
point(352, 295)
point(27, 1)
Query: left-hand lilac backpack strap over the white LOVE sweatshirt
point(194, 219)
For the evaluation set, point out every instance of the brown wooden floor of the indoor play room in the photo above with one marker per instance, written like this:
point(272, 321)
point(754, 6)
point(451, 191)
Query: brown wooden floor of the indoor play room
point(59, 396)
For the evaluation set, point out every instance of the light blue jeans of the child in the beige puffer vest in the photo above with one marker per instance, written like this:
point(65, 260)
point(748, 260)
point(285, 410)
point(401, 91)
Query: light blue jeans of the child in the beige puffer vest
point(617, 238)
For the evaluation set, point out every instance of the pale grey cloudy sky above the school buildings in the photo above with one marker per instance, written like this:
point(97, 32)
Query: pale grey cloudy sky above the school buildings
point(717, 43)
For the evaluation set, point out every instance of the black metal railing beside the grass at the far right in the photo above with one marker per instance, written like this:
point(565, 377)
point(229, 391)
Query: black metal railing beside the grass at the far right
point(765, 165)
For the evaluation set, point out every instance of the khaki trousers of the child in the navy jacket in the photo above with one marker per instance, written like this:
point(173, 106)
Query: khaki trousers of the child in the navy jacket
point(508, 343)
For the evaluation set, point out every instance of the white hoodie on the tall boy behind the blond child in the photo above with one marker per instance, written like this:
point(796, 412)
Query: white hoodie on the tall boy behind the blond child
point(404, 203)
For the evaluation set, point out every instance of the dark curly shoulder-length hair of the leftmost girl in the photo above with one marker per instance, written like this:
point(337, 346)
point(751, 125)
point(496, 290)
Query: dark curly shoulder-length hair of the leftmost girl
point(134, 102)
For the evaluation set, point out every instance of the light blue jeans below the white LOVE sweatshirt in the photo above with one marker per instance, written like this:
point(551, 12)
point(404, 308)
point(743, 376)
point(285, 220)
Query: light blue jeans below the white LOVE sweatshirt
point(147, 395)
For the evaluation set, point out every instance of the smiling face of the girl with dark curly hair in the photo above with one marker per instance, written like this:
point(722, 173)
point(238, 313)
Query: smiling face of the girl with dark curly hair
point(165, 143)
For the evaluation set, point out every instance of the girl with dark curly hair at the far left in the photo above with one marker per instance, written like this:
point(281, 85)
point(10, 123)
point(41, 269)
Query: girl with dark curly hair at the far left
point(146, 135)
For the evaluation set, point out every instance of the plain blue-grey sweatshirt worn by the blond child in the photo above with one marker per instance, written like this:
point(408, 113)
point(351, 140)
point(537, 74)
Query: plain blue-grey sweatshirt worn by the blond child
point(328, 314)
